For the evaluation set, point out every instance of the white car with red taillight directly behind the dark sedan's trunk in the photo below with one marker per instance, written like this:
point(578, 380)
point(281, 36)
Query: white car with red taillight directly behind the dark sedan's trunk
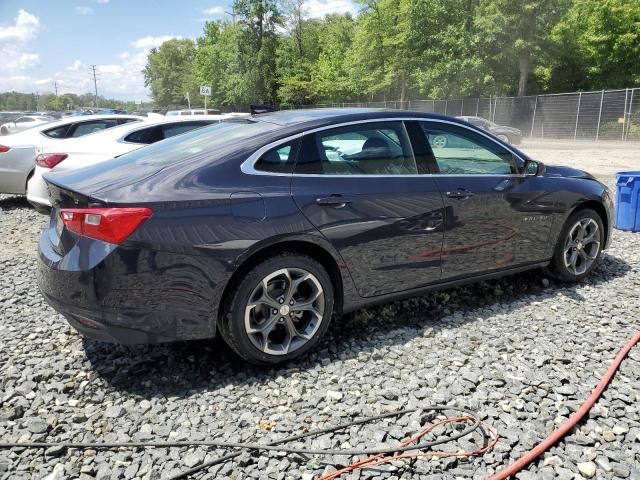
point(101, 146)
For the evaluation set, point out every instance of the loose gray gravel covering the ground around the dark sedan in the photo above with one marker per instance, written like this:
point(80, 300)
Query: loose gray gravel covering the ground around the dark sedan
point(524, 351)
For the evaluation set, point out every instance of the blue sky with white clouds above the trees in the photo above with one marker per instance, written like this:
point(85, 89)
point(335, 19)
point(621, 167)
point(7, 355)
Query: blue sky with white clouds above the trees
point(47, 41)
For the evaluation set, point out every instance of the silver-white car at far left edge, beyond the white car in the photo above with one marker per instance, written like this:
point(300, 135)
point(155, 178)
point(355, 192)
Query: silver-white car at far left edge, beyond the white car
point(17, 151)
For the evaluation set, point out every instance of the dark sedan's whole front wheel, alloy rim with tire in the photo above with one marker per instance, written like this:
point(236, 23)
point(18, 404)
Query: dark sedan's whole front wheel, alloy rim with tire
point(579, 247)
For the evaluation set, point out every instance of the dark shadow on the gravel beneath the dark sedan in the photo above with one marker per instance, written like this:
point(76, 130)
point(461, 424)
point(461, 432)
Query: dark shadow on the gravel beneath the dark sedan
point(182, 369)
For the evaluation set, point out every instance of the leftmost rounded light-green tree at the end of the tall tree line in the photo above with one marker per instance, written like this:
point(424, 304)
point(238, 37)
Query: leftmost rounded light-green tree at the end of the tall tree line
point(169, 72)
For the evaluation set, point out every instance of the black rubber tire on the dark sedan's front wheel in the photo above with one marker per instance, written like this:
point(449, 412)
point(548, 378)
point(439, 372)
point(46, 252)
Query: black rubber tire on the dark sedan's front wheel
point(558, 267)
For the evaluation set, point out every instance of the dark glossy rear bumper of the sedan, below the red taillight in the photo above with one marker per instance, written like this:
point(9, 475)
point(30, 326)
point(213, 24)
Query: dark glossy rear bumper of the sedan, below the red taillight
point(102, 293)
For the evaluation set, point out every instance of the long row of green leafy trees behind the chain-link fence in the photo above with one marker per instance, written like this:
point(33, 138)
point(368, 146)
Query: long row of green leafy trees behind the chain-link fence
point(402, 49)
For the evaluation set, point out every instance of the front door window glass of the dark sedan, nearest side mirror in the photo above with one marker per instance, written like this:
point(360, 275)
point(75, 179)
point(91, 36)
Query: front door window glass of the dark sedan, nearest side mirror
point(458, 151)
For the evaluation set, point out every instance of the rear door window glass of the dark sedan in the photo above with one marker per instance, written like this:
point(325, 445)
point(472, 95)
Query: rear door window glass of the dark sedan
point(380, 148)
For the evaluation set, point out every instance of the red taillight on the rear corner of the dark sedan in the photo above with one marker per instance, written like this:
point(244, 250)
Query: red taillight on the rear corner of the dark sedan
point(110, 225)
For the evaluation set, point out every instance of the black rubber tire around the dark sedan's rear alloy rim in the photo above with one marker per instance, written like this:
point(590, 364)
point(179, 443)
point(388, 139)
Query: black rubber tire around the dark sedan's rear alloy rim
point(231, 325)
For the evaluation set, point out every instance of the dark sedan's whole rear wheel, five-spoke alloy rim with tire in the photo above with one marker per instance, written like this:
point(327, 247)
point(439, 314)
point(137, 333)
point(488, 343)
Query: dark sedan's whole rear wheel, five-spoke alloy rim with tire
point(280, 310)
